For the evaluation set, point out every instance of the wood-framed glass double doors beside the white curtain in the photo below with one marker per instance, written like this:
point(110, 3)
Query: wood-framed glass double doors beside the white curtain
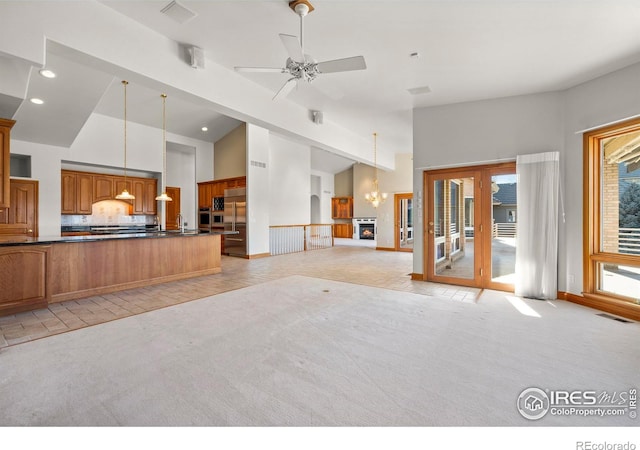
point(471, 216)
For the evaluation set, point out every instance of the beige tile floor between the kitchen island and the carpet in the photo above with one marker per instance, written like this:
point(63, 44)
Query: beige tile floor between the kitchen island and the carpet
point(359, 265)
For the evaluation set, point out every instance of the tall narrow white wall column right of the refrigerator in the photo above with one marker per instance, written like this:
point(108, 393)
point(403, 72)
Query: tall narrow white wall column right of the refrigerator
point(257, 190)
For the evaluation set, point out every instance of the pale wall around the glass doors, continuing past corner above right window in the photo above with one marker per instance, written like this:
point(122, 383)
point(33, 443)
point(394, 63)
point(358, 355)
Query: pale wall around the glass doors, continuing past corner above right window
point(503, 128)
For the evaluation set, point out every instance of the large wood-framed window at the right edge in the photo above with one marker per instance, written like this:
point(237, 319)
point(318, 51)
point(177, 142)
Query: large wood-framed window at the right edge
point(612, 212)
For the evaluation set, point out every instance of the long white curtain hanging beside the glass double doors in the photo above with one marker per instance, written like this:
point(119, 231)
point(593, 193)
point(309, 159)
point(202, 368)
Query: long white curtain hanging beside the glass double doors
point(537, 226)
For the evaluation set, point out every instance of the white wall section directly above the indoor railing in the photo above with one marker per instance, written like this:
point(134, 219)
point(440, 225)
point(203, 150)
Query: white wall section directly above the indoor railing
point(289, 182)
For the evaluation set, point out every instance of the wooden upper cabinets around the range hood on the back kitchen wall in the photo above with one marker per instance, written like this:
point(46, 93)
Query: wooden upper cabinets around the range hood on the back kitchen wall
point(81, 189)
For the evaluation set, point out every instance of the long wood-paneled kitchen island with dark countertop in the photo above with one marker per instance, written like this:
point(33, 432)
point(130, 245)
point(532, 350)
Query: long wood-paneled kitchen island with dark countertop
point(37, 271)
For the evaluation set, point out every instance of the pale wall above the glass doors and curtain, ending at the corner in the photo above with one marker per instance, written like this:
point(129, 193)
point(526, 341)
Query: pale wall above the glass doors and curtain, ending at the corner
point(481, 132)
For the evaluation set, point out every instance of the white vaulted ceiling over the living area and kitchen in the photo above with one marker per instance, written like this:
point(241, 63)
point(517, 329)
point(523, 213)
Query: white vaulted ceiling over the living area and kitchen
point(452, 51)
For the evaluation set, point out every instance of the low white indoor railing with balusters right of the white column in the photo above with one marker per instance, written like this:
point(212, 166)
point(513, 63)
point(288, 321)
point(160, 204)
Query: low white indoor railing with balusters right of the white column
point(298, 238)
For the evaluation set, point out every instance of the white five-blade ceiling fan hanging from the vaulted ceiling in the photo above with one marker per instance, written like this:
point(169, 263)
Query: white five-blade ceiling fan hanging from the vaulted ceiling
point(300, 65)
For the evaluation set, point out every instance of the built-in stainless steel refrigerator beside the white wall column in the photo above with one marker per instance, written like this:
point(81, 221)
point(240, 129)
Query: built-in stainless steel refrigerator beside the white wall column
point(235, 219)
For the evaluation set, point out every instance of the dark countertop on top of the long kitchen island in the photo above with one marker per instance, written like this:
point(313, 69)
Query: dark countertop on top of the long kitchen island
point(46, 240)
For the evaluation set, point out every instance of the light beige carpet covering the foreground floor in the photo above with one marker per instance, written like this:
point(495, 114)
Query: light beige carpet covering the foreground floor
point(302, 351)
